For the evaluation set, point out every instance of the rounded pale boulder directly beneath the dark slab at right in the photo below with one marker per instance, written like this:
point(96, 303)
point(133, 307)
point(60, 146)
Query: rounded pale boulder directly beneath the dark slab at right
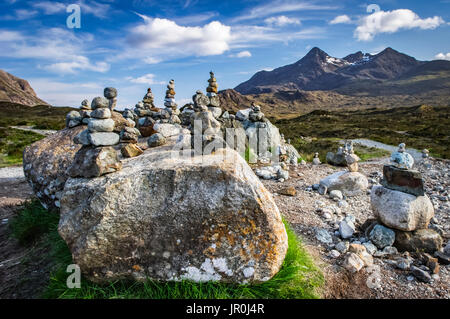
point(400, 210)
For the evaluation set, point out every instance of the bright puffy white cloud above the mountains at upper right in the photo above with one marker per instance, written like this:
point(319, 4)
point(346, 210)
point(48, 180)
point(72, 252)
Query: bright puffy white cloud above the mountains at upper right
point(393, 21)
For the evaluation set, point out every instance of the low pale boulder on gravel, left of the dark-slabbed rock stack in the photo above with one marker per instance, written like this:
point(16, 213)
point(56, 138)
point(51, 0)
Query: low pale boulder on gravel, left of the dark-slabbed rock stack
point(349, 183)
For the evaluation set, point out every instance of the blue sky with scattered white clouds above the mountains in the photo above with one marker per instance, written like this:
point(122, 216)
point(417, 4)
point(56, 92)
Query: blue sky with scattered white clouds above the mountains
point(132, 45)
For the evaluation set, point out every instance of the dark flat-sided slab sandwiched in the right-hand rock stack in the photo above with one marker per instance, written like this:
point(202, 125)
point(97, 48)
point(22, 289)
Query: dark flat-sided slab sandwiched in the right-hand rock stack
point(402, 180)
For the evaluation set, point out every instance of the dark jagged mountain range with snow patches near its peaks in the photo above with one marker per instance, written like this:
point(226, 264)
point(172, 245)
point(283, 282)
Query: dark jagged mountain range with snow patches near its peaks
point(356, 74)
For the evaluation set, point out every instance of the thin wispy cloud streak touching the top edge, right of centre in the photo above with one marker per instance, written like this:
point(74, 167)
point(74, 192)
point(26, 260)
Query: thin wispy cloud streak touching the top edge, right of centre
point(280, 6)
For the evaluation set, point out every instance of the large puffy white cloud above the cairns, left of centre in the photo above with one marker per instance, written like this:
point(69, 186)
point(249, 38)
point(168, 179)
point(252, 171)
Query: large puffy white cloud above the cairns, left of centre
point(167, 37)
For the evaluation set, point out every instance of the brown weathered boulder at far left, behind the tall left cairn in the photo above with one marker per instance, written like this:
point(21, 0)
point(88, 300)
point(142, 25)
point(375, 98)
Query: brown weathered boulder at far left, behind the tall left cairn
point(45, 163)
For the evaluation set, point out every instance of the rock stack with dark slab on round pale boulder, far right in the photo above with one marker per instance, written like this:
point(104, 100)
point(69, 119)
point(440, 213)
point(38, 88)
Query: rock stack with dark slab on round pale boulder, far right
point(401, 203)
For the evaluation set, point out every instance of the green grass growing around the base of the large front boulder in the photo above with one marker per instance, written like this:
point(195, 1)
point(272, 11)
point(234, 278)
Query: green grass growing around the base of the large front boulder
point(298, 277)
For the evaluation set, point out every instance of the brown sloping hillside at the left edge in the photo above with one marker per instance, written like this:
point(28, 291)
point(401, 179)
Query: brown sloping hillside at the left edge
point(17, 90)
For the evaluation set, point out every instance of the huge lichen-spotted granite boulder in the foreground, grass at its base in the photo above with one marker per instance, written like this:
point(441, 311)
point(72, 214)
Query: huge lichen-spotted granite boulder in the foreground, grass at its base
point(171, 218)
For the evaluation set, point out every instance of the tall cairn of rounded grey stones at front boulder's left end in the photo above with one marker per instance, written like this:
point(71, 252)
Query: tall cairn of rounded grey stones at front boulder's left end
point(97, 157)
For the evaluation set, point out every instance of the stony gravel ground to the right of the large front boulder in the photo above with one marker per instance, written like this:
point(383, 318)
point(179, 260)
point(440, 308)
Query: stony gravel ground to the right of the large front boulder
point(308, 212)
